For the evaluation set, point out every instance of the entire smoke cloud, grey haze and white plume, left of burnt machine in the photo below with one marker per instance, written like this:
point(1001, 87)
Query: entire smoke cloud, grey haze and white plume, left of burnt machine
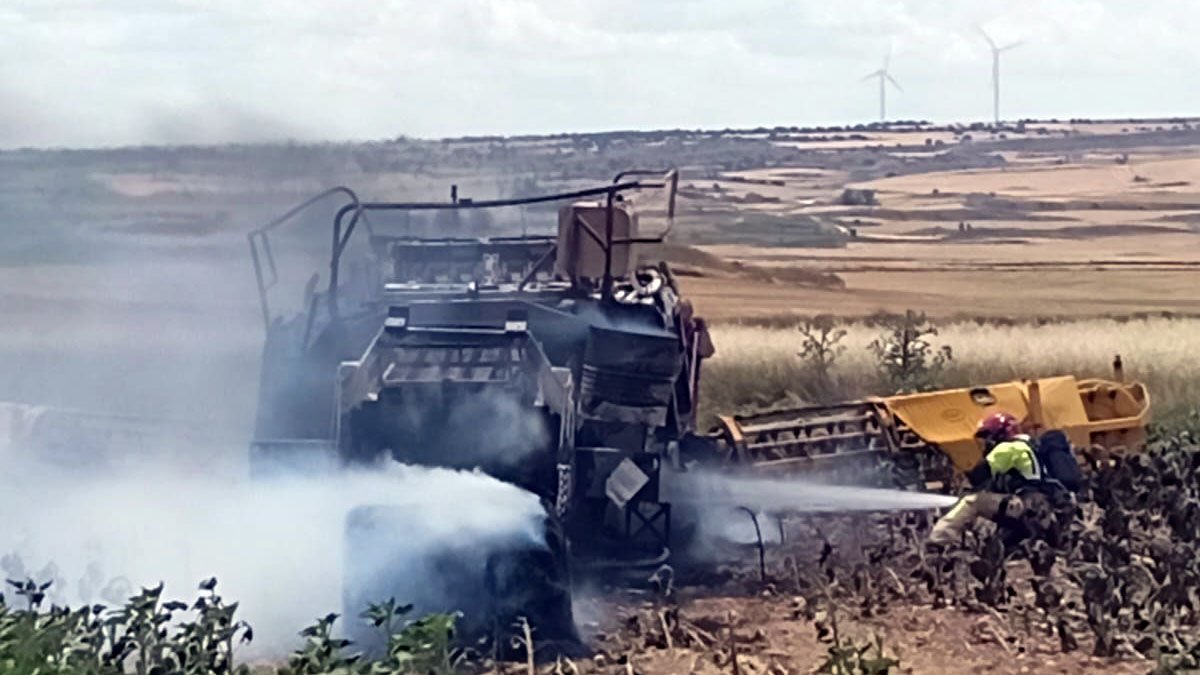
point(165, 330)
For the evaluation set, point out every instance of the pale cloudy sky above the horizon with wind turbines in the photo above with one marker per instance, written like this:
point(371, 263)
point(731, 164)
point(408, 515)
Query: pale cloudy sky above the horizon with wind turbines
point(97, 73)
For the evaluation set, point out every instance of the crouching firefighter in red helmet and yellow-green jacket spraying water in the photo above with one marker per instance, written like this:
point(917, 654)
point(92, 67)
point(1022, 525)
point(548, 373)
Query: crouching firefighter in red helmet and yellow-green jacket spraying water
point(1010, 465)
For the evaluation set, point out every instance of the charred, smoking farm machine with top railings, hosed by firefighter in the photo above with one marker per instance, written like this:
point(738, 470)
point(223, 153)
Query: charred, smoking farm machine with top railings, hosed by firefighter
point(557, 363)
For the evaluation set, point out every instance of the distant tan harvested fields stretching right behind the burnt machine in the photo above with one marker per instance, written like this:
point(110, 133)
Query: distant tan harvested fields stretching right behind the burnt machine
point(1049, 234)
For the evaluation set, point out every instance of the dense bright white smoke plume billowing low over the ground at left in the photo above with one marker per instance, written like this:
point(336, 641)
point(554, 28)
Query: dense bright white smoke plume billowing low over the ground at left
point(275, 547)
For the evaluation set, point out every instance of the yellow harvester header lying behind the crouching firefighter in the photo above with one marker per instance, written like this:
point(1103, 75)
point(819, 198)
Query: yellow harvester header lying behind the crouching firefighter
point(928, 440)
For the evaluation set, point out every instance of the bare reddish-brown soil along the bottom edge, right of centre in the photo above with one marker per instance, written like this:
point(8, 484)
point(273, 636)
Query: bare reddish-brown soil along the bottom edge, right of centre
point(773, 640)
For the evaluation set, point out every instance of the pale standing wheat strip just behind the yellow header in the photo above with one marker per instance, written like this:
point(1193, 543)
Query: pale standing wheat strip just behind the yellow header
point(759, 367)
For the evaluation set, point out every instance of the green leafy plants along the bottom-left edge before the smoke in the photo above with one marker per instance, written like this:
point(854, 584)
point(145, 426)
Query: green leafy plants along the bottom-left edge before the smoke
point(148, 636)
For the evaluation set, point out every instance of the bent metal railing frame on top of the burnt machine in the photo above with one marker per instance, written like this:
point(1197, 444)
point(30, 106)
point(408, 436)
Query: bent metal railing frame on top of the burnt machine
point(261, 249)
